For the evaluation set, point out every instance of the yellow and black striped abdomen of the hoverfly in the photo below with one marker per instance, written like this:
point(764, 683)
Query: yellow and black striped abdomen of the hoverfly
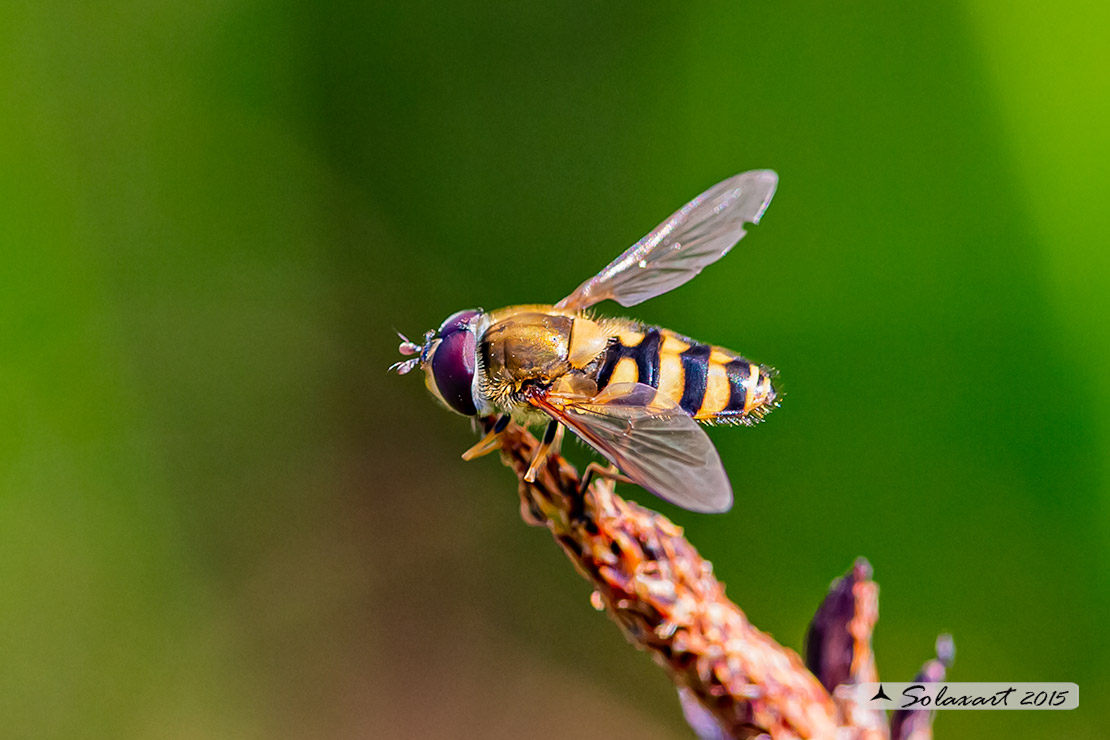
point(712, 384)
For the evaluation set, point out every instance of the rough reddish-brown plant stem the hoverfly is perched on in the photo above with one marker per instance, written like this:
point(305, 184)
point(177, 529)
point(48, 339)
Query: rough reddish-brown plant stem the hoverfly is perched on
point(668, 602)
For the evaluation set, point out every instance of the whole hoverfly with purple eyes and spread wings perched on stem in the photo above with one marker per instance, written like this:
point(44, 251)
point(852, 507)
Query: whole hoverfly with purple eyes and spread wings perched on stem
point(634, 393)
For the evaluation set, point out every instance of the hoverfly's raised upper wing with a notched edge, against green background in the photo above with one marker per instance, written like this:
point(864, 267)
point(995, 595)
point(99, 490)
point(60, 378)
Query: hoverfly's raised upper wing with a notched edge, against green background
point(699, 235)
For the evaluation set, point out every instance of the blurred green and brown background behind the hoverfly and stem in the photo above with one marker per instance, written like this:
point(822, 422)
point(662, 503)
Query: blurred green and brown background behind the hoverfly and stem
point(221, 519)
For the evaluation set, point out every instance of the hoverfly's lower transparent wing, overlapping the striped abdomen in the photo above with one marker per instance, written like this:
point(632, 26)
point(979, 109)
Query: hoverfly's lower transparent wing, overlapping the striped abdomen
point(652, 440)
